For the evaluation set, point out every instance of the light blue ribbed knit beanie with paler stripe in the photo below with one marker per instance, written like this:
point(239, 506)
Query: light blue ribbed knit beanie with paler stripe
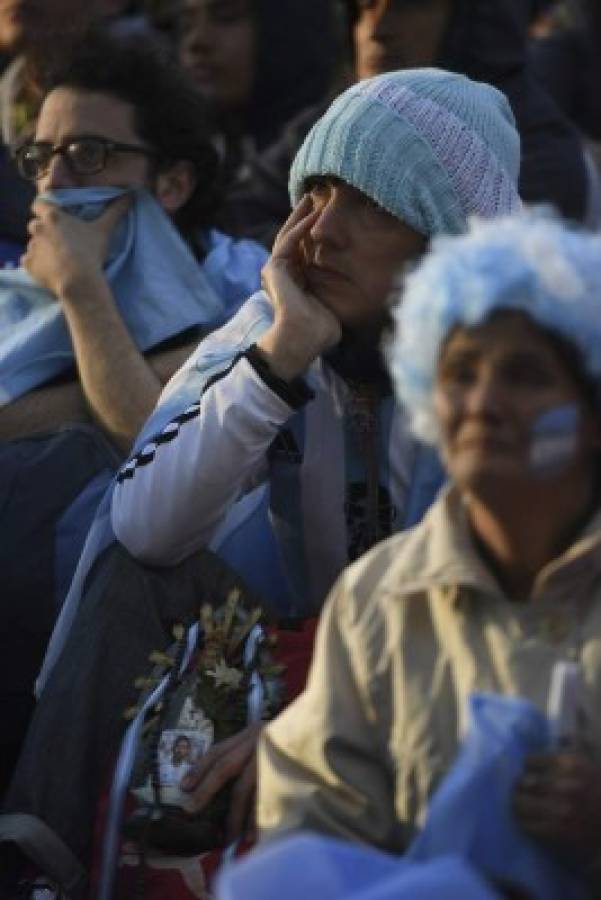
point(429, 146)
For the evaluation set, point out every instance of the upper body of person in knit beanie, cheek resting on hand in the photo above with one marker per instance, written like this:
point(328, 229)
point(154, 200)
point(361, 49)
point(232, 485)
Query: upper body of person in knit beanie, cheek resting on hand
point(291, 397)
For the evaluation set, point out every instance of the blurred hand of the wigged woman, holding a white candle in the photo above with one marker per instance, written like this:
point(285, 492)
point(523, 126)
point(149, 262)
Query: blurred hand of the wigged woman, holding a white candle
point(558, 801)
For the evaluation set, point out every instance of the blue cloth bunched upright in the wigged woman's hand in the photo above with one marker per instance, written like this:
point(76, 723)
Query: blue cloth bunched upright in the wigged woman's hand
point(470, 813)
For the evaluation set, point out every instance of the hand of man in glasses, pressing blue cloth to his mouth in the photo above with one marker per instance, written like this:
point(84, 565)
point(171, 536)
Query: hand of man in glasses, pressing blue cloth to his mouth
point(65, 253)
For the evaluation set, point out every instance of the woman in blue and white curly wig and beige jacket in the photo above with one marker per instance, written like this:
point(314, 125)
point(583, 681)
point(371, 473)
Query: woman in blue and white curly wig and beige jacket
point(496, 358)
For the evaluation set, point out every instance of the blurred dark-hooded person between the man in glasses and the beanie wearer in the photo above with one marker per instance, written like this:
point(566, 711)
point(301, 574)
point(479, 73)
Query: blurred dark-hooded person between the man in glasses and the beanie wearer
point(261, 63)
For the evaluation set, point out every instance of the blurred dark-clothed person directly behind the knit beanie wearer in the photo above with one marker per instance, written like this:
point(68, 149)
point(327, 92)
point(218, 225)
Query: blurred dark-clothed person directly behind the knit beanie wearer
point(484, 39)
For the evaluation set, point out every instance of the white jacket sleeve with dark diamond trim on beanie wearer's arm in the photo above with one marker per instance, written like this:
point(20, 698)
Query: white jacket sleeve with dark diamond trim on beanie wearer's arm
point(171, 497)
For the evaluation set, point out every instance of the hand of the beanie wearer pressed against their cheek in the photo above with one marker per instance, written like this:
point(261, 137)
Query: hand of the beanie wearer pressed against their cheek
point(303, 327)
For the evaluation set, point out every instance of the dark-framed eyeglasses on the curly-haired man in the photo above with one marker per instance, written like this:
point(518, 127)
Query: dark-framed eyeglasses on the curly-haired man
point(83, 155)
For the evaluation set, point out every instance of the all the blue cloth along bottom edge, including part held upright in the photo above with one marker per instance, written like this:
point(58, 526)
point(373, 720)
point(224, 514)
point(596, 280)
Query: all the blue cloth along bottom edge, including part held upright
point(470, 841)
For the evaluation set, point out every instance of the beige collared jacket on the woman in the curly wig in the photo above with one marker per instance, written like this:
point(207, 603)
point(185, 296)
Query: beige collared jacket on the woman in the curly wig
point(407, 633)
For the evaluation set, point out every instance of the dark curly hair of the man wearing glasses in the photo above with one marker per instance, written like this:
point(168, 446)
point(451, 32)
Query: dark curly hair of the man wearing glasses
point(169, 114)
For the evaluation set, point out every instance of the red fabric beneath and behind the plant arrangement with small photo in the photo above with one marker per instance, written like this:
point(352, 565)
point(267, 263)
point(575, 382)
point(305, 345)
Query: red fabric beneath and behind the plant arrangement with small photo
point(190, 879)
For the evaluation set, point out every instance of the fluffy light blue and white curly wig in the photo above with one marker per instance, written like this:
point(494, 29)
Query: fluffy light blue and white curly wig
point(531, 262)
